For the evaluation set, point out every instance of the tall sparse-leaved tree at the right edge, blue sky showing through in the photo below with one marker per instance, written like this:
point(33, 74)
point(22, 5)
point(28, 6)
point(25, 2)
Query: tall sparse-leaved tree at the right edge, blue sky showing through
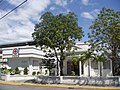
point(105, 34)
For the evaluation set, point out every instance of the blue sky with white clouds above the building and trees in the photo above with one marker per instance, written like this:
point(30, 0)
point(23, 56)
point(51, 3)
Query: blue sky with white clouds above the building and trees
point(18, 26)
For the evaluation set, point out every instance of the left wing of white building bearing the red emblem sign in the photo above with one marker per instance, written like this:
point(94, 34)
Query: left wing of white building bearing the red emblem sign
point(22, 55)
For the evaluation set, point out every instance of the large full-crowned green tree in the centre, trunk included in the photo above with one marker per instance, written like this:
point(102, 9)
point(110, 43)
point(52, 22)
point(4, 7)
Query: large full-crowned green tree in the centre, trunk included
point(58, 33)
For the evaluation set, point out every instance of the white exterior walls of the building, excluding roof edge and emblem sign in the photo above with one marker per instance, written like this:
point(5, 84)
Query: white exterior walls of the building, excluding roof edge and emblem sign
point(30, 56)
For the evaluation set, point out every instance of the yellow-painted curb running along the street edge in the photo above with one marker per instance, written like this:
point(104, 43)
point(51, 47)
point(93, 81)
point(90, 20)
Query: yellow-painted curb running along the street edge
point(61, 86)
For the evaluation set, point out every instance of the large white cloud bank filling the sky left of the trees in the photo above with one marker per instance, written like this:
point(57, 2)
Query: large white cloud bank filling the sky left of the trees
point(18, 26)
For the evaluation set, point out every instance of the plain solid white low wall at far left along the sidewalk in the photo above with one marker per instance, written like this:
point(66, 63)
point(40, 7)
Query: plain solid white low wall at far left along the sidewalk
point(16, 77)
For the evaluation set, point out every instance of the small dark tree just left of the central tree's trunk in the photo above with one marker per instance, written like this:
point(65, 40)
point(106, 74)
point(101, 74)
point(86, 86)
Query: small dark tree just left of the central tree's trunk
point(49, 62)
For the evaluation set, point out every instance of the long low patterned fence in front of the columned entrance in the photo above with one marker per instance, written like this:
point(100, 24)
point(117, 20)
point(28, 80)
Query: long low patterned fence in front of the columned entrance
point(76, 80)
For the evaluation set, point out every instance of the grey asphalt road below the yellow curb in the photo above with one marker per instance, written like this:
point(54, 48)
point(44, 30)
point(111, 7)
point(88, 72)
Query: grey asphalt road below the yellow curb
point(13, 87)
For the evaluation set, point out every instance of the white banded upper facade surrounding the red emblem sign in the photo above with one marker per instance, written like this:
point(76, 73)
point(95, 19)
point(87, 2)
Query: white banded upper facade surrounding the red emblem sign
point(23, 51)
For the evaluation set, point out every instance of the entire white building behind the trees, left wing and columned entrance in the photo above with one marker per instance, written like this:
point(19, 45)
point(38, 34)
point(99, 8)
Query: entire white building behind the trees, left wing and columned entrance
point(27, 55)
